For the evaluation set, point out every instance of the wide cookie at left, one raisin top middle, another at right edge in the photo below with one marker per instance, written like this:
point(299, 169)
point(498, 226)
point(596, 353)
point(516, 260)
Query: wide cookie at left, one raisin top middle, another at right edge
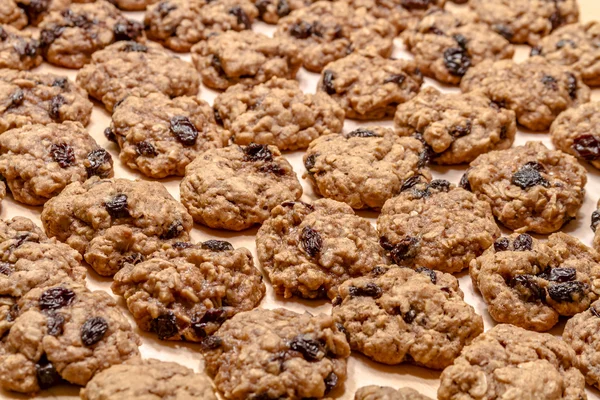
point(113, 221)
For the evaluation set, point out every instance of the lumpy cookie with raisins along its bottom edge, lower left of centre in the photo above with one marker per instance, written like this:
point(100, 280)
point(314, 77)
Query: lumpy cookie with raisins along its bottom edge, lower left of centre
point(187, 297)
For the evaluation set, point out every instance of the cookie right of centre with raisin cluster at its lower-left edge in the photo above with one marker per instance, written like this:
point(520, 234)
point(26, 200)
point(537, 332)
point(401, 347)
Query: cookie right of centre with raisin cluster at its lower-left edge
point(435, 225)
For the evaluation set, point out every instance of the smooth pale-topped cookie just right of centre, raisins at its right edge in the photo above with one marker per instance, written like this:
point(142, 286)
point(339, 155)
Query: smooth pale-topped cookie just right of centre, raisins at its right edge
point(363, 168)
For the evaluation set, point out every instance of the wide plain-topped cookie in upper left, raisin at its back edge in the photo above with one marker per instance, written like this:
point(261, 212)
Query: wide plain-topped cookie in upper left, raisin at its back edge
point(130, 68)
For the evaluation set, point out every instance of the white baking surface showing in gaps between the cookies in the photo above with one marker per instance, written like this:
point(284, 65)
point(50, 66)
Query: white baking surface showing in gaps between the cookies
point(361, 370)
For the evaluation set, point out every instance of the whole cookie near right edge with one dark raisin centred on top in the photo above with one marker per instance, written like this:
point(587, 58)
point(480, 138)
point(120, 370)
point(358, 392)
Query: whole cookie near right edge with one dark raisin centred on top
point(530, 188)
